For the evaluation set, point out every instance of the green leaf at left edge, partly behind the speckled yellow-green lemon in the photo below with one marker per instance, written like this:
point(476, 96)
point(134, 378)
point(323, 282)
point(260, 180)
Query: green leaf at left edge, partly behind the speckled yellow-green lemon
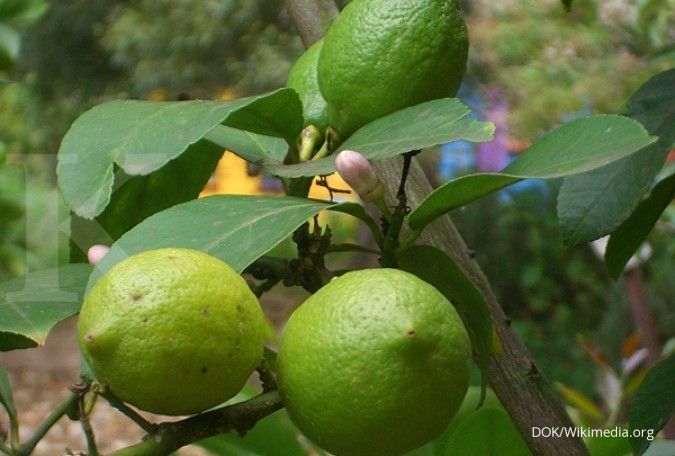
point(32, 305)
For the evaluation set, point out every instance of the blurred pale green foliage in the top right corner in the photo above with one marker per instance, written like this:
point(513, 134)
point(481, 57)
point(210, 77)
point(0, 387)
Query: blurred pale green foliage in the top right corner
point(552, 64)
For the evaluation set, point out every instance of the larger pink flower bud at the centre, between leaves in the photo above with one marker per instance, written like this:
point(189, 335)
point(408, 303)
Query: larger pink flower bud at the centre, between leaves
point(357, 171)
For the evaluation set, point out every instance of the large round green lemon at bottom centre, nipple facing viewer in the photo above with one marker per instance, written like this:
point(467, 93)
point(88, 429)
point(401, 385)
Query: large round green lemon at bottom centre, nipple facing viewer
point(375, 363)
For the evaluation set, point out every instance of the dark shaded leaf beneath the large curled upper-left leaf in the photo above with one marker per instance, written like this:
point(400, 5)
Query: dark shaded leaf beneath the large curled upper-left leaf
point(139, 197)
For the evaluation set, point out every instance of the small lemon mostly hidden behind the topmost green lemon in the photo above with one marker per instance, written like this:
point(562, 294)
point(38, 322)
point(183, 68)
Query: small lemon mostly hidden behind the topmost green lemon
point(303, 79)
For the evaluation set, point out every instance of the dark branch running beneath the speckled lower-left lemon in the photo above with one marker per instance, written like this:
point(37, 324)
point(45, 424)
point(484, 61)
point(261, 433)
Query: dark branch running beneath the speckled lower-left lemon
point(239, 417)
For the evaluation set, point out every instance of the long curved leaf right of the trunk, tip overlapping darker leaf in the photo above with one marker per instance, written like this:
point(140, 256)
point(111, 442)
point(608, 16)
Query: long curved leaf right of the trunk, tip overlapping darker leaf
point(573, 148)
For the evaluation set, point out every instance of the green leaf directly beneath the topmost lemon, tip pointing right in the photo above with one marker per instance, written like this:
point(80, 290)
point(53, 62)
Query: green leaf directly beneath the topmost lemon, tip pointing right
point(424, 125)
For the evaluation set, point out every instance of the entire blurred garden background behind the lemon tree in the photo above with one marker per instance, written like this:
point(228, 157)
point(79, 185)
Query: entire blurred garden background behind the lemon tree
point(532, 66)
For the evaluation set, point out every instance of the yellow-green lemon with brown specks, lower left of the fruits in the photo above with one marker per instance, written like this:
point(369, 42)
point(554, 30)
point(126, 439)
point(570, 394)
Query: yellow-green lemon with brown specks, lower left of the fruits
point(172, 331)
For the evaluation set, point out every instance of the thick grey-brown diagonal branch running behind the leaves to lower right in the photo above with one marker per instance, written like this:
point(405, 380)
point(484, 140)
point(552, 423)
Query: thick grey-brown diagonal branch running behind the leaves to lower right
point(513, 374)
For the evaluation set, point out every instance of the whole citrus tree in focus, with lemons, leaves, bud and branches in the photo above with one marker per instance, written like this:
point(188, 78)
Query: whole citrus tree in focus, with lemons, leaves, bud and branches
point(375, 362)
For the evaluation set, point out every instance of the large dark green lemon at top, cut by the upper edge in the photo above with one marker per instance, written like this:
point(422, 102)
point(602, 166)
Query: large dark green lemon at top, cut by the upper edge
point(380, 56)
